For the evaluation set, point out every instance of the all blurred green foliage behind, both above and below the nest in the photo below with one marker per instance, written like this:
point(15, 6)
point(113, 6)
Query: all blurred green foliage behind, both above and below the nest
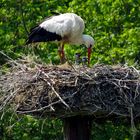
point(115, 26)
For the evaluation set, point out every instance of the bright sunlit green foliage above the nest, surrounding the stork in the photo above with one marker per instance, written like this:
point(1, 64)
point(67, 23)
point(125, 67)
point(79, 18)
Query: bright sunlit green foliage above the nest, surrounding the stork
point(114, 25)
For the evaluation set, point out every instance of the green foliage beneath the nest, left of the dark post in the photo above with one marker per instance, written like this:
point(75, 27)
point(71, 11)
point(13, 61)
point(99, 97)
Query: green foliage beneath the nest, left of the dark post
point(26, 128)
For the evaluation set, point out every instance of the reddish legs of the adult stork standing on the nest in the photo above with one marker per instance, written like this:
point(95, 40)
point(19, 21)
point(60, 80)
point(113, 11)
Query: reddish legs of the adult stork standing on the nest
point(61, 53)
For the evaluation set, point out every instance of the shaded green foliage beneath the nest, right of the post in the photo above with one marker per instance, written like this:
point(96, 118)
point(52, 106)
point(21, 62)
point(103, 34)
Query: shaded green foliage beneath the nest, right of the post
point(110, 131)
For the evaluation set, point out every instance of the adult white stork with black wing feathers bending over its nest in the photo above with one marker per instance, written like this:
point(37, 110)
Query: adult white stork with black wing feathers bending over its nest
point(63, 28)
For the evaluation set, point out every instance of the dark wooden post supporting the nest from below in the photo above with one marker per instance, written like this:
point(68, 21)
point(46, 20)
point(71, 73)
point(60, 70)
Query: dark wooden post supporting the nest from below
point(77, 128)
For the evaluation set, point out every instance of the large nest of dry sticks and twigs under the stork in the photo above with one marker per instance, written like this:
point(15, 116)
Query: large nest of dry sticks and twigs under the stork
point(75, 90)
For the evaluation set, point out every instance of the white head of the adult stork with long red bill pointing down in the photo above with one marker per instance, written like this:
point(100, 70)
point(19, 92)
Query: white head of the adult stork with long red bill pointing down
point(89, 42)
